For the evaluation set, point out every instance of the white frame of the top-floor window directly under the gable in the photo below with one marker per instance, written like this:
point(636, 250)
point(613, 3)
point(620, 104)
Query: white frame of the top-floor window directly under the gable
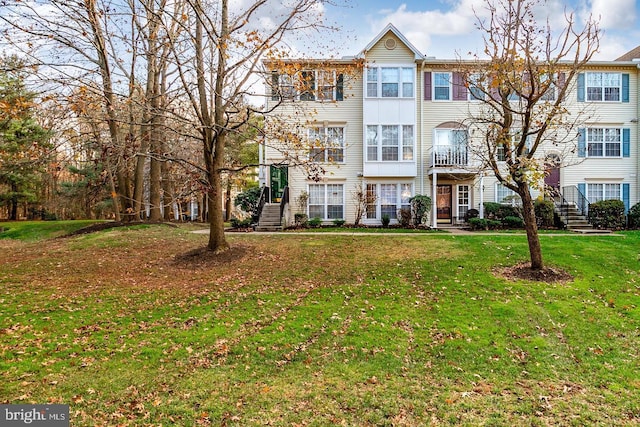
point(404, 81)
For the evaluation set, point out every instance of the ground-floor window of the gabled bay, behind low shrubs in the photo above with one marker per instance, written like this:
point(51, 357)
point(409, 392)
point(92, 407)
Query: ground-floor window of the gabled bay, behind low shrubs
point(387, 199)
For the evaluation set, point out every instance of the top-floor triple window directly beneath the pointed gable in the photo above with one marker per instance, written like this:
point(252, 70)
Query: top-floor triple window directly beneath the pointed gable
point(390, 82)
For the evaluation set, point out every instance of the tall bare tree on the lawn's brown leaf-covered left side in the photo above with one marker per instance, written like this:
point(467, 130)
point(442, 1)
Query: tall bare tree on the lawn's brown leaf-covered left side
point(218, 57)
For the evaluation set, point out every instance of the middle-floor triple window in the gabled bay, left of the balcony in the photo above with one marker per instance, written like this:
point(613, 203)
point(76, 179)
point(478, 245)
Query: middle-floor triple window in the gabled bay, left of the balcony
point(390, 143)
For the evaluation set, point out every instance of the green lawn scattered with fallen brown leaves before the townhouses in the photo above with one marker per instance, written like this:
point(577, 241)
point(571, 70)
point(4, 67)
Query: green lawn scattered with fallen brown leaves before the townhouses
point(321, 330)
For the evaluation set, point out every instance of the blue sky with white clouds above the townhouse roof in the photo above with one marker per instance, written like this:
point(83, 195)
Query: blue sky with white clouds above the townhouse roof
point(442, 28)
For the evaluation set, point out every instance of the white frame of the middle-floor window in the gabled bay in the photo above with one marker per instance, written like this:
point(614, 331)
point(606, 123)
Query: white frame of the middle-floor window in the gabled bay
point(405, 146)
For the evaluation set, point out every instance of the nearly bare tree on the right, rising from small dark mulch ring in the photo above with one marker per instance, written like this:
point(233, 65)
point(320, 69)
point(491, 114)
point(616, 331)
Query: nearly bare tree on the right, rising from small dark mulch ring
point(522, 88)
